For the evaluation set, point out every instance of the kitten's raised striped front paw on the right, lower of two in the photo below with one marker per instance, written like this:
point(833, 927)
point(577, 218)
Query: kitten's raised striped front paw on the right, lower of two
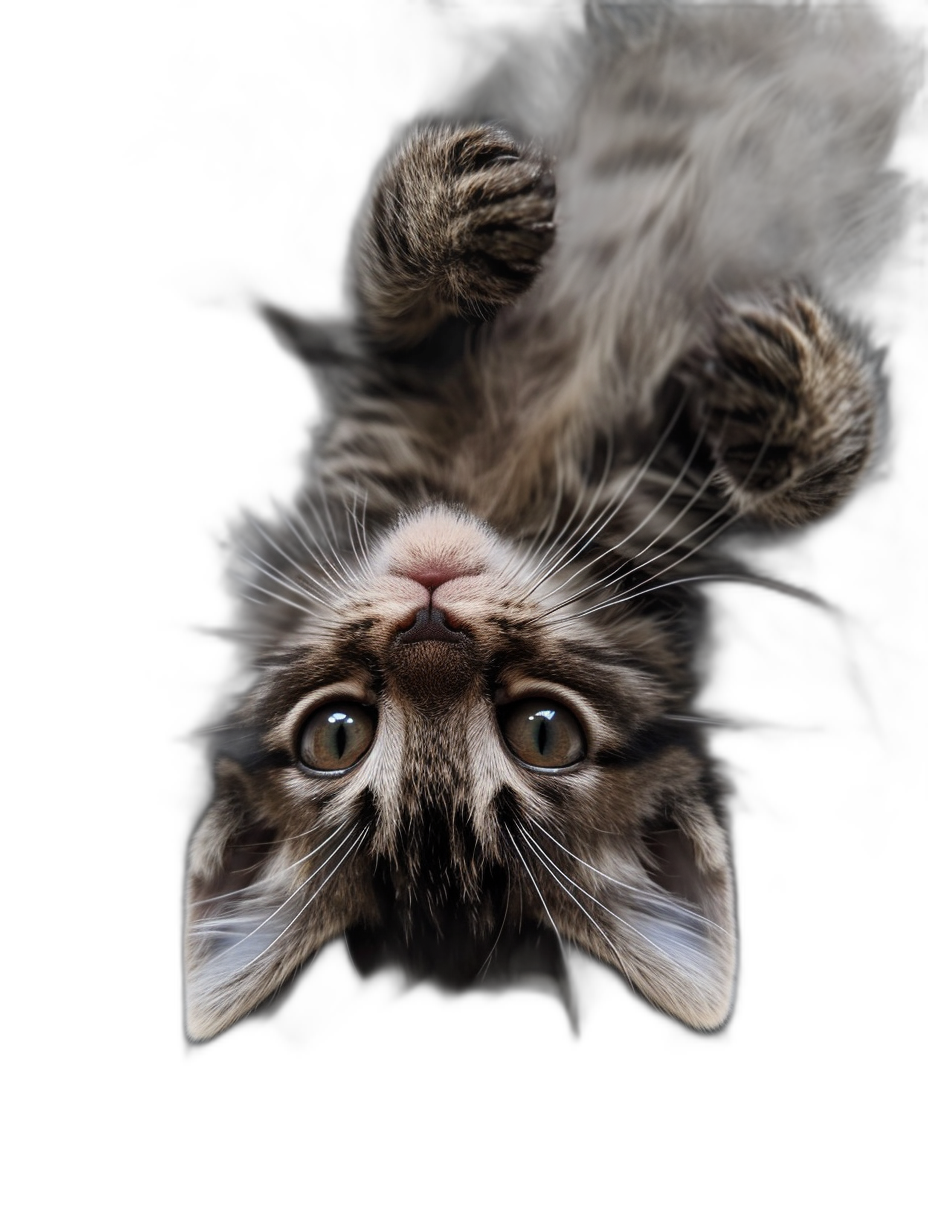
point(792, 405)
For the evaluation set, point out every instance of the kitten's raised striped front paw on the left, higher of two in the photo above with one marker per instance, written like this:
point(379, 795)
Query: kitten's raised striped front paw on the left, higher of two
point(455, 226)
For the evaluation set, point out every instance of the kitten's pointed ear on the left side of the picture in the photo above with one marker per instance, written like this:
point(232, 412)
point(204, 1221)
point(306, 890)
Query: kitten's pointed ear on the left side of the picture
point(242, 902)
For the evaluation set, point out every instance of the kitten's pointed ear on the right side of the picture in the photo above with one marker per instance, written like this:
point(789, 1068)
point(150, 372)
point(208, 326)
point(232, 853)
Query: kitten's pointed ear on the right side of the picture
point(674, 936)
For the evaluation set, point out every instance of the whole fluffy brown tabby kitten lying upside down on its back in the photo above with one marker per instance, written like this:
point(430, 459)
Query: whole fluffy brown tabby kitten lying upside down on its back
point(584, 363)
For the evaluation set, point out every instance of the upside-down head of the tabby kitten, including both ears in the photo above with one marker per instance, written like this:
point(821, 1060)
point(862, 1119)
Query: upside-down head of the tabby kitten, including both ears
point(439, 768)
